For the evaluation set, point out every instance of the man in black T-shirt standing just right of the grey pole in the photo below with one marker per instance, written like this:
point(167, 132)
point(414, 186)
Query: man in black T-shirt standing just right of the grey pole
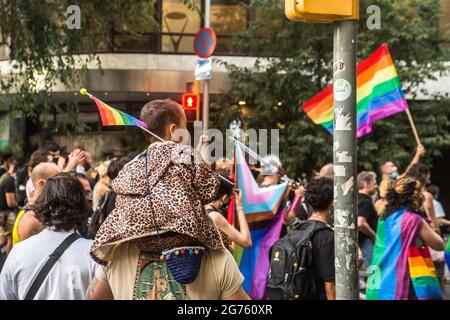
point(367, 215)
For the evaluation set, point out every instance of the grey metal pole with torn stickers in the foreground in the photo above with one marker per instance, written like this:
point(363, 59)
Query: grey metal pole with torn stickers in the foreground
point(344, 160)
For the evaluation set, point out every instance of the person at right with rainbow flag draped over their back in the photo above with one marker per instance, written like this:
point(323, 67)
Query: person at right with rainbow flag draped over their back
point(401, 265)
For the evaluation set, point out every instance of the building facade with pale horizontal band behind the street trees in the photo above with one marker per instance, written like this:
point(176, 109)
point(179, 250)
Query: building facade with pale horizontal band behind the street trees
point(137, 68)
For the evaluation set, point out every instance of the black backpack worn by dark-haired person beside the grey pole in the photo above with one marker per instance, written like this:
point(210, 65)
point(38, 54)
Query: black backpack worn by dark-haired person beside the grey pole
point(292, 275)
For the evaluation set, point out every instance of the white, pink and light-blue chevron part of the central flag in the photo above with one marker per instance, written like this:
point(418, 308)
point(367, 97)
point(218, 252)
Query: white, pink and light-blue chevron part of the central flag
point(258, 203)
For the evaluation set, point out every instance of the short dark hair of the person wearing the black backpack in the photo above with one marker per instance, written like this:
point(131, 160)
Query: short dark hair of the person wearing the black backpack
point(319, 193)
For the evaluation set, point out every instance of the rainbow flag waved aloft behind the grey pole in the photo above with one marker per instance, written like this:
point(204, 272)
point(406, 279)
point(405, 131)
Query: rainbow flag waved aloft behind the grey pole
point(379, 94)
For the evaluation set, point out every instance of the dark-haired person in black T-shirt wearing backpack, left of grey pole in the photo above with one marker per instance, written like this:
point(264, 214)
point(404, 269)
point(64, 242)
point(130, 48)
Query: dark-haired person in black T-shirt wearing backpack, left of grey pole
point(319, 195)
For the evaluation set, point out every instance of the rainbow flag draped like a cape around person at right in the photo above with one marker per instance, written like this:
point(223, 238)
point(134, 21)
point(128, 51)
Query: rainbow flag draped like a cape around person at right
point(397, 262)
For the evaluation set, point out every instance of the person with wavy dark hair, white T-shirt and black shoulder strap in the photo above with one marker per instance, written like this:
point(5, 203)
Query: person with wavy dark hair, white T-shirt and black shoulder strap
point(61, 208)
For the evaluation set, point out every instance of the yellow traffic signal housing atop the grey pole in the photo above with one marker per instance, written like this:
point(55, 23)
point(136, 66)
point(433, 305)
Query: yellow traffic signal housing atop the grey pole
point(324, 11)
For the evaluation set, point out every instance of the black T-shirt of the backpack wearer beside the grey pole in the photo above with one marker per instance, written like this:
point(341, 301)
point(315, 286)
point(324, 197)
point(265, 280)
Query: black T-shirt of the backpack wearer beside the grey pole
point(323, 256)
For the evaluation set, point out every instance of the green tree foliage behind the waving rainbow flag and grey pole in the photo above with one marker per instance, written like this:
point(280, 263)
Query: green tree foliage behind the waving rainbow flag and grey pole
point(295, 63)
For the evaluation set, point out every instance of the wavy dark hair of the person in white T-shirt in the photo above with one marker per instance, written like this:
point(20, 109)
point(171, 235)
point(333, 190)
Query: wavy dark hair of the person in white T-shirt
point(62, 204)
